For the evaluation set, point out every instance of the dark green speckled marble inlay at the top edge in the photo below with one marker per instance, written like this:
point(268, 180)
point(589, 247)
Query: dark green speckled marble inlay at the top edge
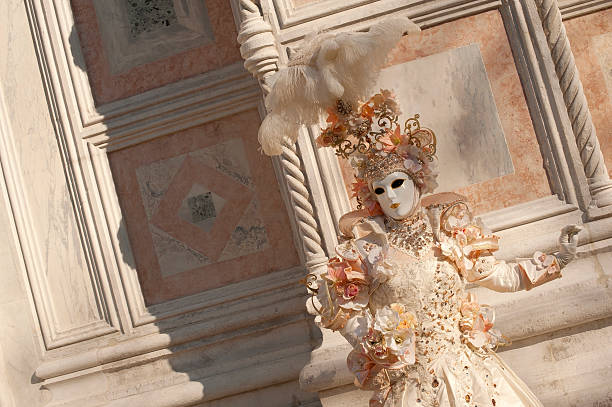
point(150, 15)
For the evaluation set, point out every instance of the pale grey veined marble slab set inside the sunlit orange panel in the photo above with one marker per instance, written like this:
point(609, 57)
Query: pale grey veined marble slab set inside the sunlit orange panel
point(452, 94)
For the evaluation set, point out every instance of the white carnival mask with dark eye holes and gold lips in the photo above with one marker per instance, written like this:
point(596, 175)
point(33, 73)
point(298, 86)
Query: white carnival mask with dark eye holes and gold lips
point(397, 195)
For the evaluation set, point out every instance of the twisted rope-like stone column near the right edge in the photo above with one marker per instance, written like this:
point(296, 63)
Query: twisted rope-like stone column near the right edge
point(591, 156)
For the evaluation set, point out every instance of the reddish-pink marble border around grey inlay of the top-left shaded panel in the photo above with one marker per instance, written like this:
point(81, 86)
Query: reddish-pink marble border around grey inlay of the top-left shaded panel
point(107, 87)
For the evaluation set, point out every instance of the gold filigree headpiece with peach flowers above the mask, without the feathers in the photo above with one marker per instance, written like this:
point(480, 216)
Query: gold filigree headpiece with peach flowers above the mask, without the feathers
point(372, 137)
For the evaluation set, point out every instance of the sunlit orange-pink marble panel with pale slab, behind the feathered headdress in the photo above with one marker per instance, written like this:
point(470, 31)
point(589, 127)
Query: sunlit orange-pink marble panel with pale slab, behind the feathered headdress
point(484, 114)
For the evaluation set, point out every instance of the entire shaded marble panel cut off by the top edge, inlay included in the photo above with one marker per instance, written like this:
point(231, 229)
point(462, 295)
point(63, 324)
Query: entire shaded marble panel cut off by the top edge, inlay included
point(131, 49)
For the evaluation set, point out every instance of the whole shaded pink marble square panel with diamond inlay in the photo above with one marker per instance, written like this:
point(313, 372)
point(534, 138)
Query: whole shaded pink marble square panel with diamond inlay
point(250, 234)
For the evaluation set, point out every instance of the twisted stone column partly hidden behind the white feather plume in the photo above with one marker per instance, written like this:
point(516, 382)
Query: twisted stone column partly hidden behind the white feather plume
point(258, 48)
